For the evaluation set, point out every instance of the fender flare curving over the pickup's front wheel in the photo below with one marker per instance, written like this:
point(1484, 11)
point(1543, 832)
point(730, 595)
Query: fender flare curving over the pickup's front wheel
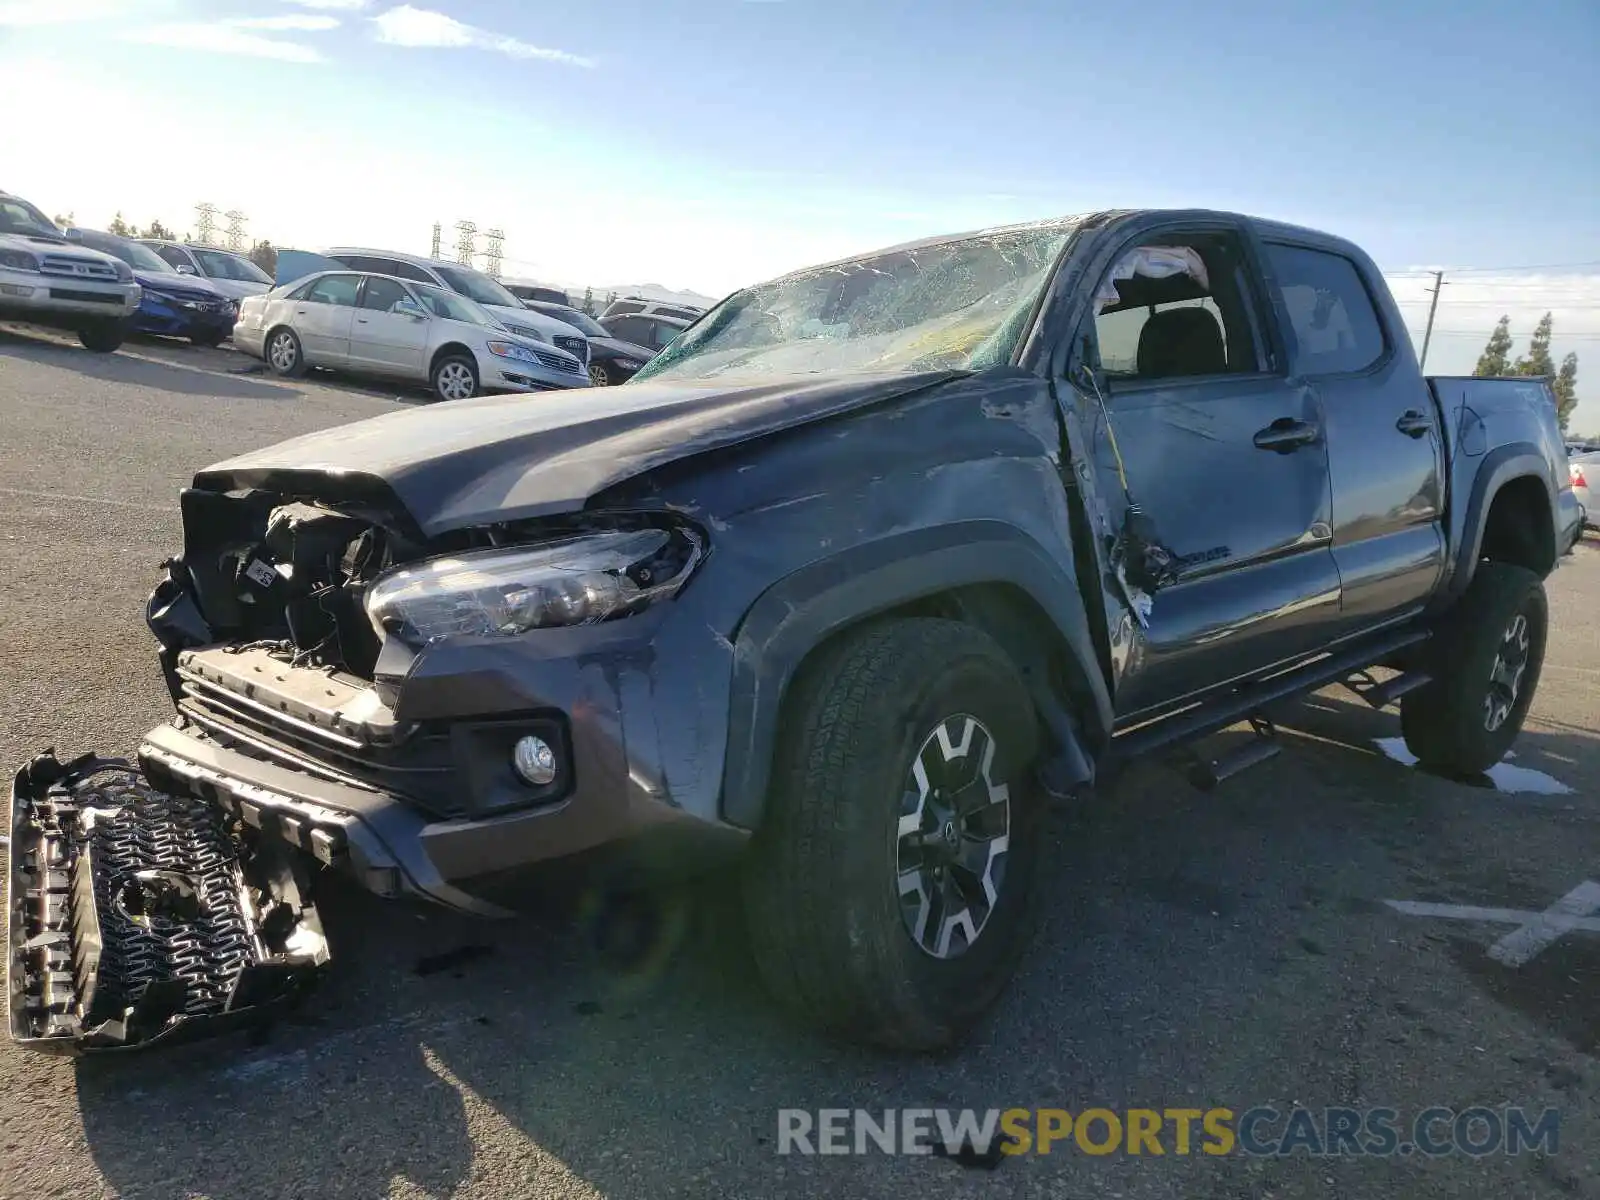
point(801, 612)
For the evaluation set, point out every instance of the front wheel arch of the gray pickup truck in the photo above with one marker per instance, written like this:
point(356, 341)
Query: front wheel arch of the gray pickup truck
point(985, 574)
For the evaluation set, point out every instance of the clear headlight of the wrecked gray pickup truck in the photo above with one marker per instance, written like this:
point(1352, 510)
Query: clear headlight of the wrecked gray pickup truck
point(574, 582)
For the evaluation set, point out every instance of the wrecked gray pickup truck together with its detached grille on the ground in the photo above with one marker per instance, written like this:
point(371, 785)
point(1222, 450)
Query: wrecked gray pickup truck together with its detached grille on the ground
point(862, 574)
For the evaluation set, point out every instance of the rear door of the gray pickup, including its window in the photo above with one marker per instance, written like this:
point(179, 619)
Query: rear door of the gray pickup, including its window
point(1385, 449)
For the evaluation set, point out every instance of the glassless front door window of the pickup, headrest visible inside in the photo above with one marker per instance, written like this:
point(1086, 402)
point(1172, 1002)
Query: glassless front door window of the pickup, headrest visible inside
point(1177, 310)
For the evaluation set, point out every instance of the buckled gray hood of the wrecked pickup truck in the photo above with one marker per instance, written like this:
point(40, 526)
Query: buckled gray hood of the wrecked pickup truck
point(503, 458)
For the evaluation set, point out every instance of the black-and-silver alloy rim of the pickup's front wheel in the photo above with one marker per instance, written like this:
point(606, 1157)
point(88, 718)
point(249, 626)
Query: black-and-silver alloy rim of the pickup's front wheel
point(953, 838)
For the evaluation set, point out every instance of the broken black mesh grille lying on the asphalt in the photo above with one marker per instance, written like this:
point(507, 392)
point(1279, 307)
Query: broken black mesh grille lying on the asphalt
point(137, 913)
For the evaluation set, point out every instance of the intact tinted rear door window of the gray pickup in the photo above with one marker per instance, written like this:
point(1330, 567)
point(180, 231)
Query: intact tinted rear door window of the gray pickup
point(1330, 311)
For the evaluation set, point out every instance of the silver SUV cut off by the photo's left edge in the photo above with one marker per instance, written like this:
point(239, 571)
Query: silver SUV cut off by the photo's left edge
point(49, 281)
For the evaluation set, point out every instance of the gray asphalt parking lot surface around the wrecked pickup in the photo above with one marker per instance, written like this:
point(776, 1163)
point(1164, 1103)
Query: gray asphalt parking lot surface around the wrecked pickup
point(1225, 950)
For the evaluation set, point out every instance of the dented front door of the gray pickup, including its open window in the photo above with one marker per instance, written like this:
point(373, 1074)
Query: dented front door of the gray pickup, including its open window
point(1226, 455)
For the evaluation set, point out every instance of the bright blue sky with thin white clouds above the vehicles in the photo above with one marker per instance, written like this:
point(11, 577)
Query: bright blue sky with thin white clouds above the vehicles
point(705, 145)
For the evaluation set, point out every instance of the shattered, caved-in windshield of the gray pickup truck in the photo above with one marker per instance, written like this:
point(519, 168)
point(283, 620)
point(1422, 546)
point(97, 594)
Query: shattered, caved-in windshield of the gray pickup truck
point(956, 305)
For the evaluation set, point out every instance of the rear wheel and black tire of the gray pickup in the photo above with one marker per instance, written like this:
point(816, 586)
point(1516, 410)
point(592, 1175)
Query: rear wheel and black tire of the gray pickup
point(1468, 718)
